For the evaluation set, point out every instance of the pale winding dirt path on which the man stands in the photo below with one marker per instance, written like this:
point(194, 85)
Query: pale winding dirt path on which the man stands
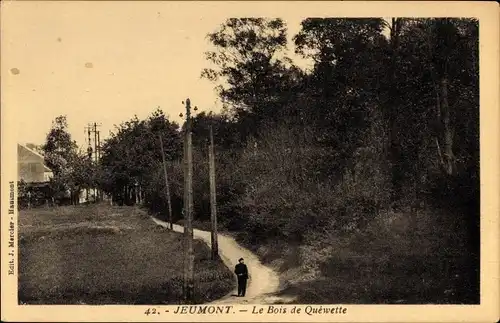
point(260, 290)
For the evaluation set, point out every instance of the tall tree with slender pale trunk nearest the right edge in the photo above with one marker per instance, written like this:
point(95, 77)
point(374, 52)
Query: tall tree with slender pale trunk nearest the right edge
point(447, 45)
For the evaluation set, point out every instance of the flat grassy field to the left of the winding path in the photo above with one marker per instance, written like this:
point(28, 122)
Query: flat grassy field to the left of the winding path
point(99, 254)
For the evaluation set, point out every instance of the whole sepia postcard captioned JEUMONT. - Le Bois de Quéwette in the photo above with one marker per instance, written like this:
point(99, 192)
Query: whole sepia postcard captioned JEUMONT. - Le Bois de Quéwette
point(191, 162)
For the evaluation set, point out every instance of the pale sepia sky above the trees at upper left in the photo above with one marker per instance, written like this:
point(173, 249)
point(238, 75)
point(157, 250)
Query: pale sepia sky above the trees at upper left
point(105, 62)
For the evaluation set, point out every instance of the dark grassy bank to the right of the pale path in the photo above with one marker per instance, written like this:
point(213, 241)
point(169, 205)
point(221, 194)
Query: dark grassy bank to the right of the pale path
point(400, 258)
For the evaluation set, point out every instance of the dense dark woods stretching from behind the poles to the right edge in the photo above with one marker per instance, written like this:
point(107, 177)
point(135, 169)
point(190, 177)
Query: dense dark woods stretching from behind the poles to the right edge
point(385, 122)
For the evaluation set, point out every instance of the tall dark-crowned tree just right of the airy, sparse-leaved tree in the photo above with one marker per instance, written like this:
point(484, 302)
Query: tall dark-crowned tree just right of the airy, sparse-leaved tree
point(344, 87)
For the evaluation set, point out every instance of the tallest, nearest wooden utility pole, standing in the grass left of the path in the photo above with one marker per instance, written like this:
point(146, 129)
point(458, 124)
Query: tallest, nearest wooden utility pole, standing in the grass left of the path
point(188, 207)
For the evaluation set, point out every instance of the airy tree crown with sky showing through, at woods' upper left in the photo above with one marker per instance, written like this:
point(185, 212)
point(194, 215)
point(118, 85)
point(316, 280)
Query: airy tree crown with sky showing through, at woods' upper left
point(253, 73)
